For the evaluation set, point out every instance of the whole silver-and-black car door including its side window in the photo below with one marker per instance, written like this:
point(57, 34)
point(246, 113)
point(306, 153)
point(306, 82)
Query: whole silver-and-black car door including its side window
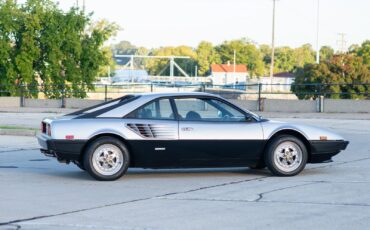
point(215, 132)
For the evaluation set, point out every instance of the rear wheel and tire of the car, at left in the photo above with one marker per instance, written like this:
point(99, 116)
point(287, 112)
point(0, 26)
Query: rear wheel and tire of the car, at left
point(106, 159)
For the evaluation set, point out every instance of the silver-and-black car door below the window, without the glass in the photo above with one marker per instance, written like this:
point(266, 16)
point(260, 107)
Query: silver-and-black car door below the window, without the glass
point(217, 142)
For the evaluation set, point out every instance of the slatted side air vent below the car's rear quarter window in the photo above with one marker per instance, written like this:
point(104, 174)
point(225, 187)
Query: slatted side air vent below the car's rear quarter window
point(152, 130)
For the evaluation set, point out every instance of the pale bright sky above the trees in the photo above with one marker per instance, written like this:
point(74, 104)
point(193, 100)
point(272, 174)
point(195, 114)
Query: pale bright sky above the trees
point(156, 23)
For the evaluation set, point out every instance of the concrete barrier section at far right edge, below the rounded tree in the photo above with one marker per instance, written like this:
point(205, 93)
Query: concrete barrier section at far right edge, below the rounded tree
point(346, 106)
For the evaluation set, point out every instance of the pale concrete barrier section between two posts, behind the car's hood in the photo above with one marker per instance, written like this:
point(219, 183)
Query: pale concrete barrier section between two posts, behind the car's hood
point(280, 105)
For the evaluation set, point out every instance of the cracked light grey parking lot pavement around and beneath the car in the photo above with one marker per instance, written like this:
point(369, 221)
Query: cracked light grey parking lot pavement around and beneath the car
point(39, 193)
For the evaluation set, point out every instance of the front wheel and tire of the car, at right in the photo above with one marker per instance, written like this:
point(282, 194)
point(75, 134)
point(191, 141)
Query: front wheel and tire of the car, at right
point(286, 156)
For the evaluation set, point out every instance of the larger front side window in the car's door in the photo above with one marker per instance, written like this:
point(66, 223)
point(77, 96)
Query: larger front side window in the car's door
point(204, 109)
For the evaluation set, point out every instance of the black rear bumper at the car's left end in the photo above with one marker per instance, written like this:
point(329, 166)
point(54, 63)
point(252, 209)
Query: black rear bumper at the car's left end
point(61, 149)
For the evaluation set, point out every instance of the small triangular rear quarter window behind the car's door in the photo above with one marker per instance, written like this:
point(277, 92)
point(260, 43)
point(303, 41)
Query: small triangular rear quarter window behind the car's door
point(159, 109)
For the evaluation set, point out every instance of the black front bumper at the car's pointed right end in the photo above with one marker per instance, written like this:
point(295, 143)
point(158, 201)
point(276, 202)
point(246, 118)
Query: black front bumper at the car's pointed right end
point(324, 150)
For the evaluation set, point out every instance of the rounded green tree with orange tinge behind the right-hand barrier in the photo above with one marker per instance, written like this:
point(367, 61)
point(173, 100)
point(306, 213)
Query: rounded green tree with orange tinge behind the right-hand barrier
point(343, 77)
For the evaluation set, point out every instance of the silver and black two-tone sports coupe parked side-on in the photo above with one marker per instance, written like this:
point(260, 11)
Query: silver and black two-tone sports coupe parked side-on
point(167, 130)
